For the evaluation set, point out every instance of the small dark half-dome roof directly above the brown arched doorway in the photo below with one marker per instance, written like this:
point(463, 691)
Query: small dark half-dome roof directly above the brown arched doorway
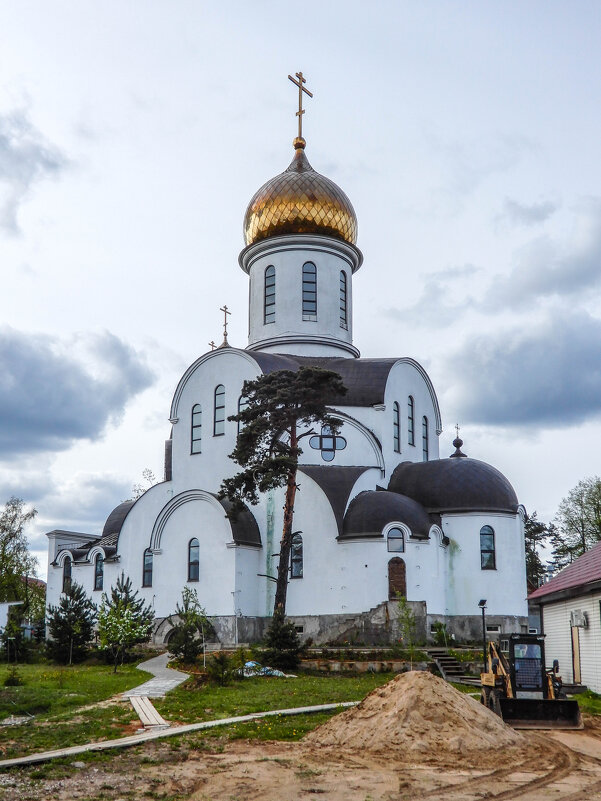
point(370, 511)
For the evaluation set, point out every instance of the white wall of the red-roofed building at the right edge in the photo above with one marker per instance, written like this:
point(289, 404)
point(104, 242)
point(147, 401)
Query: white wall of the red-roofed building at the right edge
point(558, 638)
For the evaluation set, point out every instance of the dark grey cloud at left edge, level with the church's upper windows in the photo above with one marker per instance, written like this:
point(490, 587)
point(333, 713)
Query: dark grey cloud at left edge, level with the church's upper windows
point(52, 393)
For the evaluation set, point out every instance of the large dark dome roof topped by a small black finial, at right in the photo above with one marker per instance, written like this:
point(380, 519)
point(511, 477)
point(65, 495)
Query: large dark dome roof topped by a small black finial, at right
point(445, 485)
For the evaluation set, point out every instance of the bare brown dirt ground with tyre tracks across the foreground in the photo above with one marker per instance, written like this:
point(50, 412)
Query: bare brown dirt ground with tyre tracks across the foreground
point(565, 766)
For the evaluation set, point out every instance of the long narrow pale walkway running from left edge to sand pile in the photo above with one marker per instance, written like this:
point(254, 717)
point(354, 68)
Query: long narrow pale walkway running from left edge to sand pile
point(157, 734)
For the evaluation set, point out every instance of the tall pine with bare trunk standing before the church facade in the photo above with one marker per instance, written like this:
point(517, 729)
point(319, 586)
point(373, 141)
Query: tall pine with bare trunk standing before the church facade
point(281, 408)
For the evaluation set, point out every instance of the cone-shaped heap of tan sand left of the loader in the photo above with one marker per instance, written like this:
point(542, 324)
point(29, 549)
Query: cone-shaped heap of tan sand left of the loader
point(417, 712)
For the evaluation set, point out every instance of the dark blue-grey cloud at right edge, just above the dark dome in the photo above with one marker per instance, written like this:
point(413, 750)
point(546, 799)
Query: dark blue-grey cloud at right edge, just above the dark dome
point(549, 377)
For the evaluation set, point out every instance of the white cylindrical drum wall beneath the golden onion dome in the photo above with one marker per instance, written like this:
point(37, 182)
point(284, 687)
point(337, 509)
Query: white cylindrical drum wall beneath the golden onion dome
point(287, 255)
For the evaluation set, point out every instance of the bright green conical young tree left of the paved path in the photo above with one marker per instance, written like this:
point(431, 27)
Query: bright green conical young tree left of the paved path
point(124, 620)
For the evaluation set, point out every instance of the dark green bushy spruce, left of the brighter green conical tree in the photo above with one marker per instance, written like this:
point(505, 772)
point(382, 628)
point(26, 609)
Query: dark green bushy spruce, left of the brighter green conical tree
point(71, 625)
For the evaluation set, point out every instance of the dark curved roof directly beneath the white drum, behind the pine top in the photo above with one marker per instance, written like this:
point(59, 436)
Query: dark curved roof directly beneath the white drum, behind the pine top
point(364, 379)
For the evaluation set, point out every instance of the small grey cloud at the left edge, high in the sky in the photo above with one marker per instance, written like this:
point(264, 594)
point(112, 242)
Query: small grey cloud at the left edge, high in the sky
point(25, 158)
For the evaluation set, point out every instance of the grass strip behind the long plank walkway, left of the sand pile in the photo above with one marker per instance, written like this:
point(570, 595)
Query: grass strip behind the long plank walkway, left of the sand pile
point(187, 704)
